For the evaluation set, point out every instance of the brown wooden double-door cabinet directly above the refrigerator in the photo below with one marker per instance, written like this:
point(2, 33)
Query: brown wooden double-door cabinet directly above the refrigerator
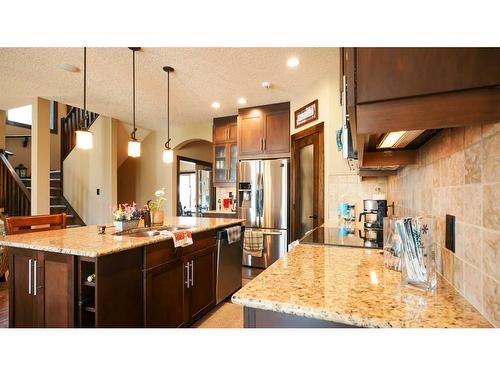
point(264, 131)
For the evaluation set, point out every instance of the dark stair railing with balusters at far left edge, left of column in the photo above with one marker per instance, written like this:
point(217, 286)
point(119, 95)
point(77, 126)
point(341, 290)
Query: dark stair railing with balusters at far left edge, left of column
point(14, 197)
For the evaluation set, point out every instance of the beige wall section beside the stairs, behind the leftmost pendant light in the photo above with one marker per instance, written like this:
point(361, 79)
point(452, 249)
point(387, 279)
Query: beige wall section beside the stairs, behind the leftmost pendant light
point(88, 170)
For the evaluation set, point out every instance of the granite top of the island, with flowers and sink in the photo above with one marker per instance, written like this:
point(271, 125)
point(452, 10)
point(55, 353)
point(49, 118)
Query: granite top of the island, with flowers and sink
point(85, 241)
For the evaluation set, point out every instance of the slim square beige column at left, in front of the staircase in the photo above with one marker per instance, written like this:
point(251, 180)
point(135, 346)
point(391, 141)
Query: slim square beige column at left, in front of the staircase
point(40, 157)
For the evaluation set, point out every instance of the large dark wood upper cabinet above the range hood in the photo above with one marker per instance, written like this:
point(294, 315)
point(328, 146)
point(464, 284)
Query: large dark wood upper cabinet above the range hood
point(390, 89)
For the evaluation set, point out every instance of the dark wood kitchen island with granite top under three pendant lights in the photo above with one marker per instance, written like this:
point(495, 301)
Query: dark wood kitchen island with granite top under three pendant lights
point(135, 281)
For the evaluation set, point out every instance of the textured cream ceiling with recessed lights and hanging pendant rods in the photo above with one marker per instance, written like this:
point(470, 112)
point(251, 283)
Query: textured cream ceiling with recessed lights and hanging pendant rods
point(202, 75)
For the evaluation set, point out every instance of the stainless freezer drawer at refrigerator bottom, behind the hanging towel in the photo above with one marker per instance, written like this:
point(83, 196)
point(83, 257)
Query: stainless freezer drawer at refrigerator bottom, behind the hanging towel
point(275, 245)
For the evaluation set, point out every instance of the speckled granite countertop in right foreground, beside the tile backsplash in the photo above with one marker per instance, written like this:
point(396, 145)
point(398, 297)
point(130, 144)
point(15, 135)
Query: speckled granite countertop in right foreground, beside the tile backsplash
point(352, 286)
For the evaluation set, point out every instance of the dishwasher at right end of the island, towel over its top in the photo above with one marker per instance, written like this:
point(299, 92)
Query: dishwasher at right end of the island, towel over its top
point(228, 265)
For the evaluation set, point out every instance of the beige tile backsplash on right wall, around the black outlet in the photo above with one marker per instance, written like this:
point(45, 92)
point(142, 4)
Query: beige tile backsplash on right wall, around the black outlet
point(458, 173)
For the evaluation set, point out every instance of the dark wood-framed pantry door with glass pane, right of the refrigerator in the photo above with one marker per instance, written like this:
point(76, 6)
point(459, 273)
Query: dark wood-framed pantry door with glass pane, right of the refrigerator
point(307, 180)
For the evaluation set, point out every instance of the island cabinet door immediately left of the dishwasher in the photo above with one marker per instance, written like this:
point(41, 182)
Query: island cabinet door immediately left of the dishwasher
point(202, 288)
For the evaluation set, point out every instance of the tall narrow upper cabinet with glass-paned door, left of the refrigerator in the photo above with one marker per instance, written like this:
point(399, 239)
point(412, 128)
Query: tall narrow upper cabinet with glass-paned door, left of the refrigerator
point(225, 155)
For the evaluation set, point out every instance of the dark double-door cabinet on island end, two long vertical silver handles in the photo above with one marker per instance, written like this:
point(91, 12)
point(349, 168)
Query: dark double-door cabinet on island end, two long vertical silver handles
point(42, 289)
